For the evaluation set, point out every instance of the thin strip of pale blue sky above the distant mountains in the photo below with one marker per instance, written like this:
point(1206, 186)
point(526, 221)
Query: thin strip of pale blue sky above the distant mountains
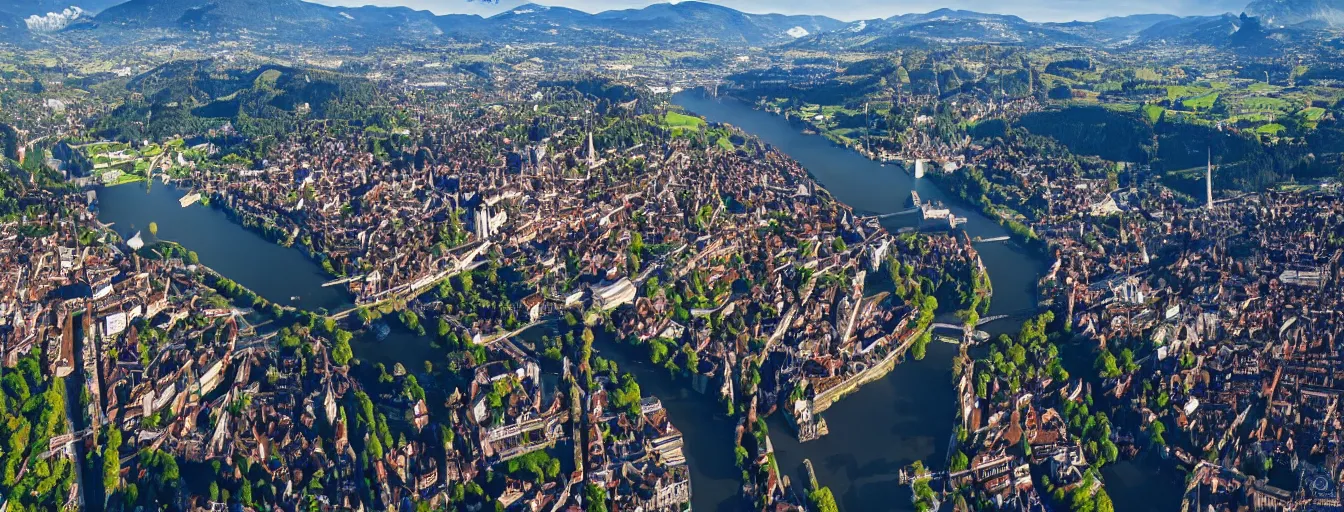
point(854, 10)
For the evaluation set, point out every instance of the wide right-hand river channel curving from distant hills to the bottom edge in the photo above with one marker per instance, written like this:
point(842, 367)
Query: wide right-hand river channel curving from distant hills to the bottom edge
point(909, 415)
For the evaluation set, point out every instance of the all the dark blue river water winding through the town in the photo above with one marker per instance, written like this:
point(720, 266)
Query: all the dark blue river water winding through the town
point(874, 432)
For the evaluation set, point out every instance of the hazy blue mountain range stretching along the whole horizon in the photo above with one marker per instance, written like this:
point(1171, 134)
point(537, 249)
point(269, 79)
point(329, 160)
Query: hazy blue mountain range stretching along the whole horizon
point(659, 25)
